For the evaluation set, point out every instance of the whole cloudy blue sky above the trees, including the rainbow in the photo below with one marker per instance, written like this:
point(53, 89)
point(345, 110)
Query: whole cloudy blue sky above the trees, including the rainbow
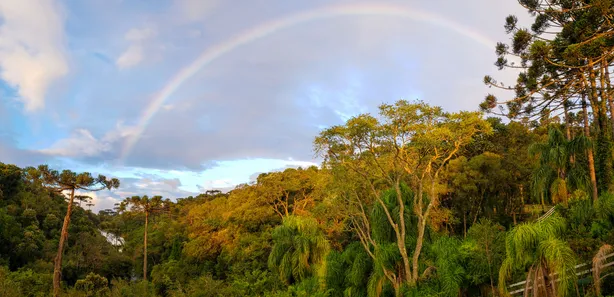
point(176, 97)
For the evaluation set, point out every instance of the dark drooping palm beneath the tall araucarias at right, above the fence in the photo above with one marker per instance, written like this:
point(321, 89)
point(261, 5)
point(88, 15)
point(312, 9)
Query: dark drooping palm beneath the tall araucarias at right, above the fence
point(556, 176)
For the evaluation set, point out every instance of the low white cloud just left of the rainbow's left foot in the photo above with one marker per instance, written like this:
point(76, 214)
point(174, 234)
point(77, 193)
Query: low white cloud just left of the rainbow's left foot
point(83, 144)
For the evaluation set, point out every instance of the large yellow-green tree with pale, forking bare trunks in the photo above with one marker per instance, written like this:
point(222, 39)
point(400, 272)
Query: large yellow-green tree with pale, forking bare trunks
point(410, 144)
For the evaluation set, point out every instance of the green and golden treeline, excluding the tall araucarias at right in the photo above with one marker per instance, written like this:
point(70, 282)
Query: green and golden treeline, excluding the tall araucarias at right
point(354, 227)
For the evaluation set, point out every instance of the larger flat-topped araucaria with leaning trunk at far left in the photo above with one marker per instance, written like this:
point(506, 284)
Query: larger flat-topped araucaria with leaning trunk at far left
point(61, 182)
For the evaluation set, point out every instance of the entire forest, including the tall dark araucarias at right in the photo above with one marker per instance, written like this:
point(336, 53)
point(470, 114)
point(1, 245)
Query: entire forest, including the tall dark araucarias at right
point(513, 199)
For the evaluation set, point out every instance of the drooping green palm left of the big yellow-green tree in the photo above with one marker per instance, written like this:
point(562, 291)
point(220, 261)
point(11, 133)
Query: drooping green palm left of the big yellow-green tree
point(299, 246)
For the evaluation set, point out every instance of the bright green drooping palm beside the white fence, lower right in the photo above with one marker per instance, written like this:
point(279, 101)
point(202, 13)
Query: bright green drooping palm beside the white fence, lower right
point(537, 248)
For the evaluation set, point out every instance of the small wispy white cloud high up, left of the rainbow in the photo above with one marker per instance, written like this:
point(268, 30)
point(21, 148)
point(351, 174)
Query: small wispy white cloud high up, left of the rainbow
point(134, 54)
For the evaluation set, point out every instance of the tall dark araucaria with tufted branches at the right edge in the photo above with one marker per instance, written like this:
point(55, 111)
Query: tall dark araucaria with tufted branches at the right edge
point(565, 59)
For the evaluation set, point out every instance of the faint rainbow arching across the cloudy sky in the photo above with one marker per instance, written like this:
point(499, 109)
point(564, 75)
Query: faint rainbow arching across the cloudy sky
point(261, 31)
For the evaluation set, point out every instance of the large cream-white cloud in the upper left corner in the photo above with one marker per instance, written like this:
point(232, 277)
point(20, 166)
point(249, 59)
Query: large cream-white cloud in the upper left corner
point(32, 54)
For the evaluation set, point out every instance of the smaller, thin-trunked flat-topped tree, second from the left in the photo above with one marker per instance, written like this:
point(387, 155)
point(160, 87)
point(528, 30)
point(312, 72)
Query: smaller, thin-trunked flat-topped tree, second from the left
point(147, 206)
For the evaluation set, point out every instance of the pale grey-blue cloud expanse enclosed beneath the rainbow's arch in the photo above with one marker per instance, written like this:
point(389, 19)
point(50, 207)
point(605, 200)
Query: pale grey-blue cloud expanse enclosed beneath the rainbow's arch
point(255, 102)
